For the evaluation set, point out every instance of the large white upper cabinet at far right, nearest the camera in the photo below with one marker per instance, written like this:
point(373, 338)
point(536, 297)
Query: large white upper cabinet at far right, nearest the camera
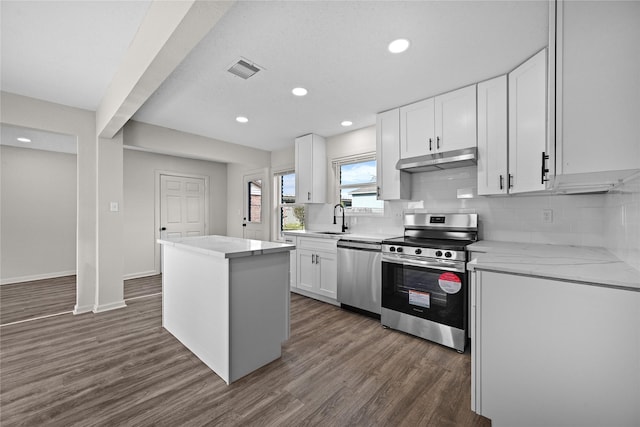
point(597, 106)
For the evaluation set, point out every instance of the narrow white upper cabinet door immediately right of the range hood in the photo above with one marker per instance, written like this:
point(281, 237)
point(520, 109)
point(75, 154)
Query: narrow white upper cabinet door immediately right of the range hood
point(492, 136)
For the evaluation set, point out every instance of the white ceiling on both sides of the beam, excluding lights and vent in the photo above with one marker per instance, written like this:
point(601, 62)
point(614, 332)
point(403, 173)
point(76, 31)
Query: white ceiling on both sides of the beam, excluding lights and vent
point(68, 52)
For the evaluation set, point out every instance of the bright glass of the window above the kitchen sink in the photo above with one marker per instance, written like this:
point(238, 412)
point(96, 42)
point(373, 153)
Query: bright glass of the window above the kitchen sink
point(358, 186)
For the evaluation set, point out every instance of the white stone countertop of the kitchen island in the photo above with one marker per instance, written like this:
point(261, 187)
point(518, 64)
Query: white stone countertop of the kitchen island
point(226, 247)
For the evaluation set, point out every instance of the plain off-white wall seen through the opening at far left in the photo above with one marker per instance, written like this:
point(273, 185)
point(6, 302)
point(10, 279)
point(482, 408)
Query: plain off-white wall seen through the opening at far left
point(38, 214)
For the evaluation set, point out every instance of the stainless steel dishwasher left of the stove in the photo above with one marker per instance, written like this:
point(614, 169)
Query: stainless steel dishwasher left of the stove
point(360, 275)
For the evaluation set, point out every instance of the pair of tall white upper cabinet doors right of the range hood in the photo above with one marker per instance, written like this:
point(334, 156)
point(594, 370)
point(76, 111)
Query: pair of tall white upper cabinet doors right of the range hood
point(514, 161)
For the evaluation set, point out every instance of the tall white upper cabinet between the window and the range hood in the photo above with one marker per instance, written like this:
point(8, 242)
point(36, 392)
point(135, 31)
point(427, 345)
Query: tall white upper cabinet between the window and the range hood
point(392, 183)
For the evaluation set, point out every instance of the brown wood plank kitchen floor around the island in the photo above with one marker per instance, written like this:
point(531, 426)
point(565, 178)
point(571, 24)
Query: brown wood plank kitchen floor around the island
point(121, 368)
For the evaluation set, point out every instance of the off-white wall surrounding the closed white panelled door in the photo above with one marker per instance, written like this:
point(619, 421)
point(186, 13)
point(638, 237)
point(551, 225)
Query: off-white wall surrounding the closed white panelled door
point(140, 204)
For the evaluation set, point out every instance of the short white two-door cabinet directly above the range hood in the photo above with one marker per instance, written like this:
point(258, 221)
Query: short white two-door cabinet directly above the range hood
point(444, 123)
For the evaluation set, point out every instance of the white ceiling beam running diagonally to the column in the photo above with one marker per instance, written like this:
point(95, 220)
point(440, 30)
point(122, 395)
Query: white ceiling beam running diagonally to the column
point(168, 32)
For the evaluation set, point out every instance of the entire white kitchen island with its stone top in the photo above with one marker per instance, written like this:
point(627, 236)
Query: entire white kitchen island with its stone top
point(227, 300)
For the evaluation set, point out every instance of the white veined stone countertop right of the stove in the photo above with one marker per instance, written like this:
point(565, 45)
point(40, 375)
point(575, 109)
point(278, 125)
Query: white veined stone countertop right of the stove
point(580, 264)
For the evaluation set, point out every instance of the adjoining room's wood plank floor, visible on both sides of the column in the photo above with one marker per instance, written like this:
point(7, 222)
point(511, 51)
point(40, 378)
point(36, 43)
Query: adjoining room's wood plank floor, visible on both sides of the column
point(28, 300)
